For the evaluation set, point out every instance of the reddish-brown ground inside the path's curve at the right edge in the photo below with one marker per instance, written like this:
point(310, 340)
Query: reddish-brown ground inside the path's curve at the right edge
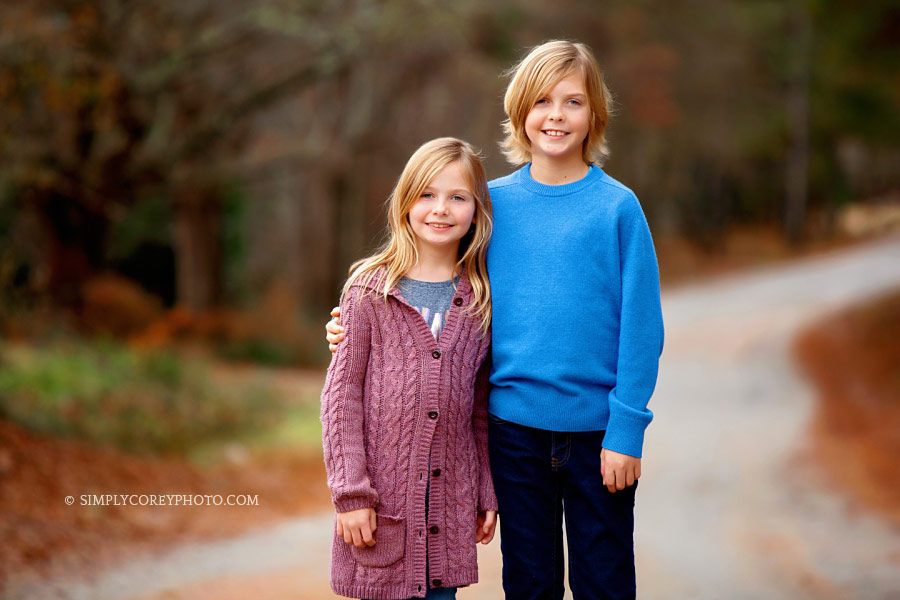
point(853, 358)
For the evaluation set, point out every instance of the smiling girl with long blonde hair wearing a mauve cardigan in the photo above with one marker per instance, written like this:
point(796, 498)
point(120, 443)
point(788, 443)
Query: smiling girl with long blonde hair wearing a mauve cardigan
point(404, 408)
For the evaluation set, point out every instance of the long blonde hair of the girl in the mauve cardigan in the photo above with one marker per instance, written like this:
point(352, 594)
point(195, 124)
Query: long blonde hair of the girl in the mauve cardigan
point(399, 253)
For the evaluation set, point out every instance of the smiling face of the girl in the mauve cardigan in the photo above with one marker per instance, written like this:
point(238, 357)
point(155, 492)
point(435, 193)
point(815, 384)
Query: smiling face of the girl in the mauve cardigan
point(444, 212)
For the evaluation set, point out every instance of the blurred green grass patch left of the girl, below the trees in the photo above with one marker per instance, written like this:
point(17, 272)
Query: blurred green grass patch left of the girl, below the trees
point(155, 401)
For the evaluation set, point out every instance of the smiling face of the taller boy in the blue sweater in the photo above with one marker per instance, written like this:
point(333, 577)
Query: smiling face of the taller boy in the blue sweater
point(558, 123)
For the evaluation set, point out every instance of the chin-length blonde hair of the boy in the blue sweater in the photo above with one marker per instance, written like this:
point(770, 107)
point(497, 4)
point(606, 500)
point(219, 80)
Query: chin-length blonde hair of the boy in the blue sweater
point(534, 77)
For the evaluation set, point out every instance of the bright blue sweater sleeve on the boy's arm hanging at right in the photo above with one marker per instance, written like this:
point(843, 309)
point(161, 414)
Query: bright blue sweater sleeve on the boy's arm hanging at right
point(640, 336)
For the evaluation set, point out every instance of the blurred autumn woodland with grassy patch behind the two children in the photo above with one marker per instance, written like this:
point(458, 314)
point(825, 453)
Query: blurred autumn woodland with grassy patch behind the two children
point(186, 183)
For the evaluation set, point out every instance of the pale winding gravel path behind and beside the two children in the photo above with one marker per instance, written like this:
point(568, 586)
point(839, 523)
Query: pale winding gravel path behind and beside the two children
point(730, 507)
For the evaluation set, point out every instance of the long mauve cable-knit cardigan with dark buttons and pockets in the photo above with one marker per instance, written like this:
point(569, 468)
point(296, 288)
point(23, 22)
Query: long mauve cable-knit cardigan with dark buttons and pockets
point(395, 399)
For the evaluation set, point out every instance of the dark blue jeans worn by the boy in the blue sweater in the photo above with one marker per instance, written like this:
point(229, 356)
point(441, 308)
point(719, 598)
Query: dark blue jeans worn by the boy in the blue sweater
point(537, 476)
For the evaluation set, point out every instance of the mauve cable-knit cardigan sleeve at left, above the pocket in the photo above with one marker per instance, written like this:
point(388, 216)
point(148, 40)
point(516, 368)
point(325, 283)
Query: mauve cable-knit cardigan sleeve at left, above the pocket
point(342, 410)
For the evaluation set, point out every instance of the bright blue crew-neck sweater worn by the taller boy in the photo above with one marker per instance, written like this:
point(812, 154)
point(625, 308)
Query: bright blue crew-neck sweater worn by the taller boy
point(577, 322)
